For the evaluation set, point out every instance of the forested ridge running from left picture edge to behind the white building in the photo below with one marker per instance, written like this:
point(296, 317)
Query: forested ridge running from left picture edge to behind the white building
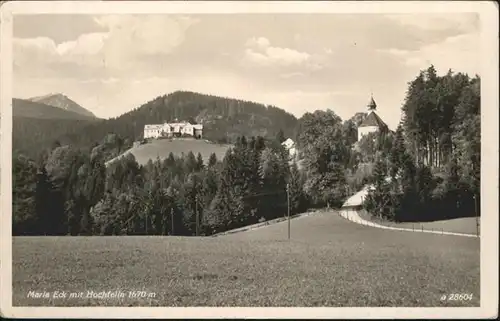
point(223, 119)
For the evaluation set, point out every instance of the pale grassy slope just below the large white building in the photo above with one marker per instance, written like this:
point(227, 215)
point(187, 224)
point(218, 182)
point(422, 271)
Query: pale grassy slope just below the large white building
point(162, 148)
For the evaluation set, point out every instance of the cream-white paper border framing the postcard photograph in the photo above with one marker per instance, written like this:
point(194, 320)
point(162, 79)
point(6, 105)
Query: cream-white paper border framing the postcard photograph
point(489, 168)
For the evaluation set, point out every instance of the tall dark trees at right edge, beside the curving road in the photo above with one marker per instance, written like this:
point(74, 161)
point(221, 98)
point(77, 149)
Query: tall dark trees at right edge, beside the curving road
point(434, 163)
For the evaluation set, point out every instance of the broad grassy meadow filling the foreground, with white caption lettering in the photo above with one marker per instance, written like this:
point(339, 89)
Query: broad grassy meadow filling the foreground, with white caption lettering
point(328, 261)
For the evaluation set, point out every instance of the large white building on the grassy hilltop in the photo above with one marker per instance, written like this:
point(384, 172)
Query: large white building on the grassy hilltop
point(175, 129)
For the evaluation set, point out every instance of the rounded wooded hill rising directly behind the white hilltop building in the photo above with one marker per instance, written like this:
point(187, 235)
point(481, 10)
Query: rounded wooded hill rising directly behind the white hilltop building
point(224, 119)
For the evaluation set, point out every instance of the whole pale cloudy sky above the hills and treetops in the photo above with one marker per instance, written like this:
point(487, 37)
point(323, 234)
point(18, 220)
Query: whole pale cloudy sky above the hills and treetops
point(110, 64)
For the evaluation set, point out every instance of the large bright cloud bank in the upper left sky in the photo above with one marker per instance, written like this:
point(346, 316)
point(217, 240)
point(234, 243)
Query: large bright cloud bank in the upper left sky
point(129, 41)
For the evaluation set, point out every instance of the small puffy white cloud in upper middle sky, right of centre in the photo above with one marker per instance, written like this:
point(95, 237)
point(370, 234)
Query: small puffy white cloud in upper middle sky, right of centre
point(259, 51)
